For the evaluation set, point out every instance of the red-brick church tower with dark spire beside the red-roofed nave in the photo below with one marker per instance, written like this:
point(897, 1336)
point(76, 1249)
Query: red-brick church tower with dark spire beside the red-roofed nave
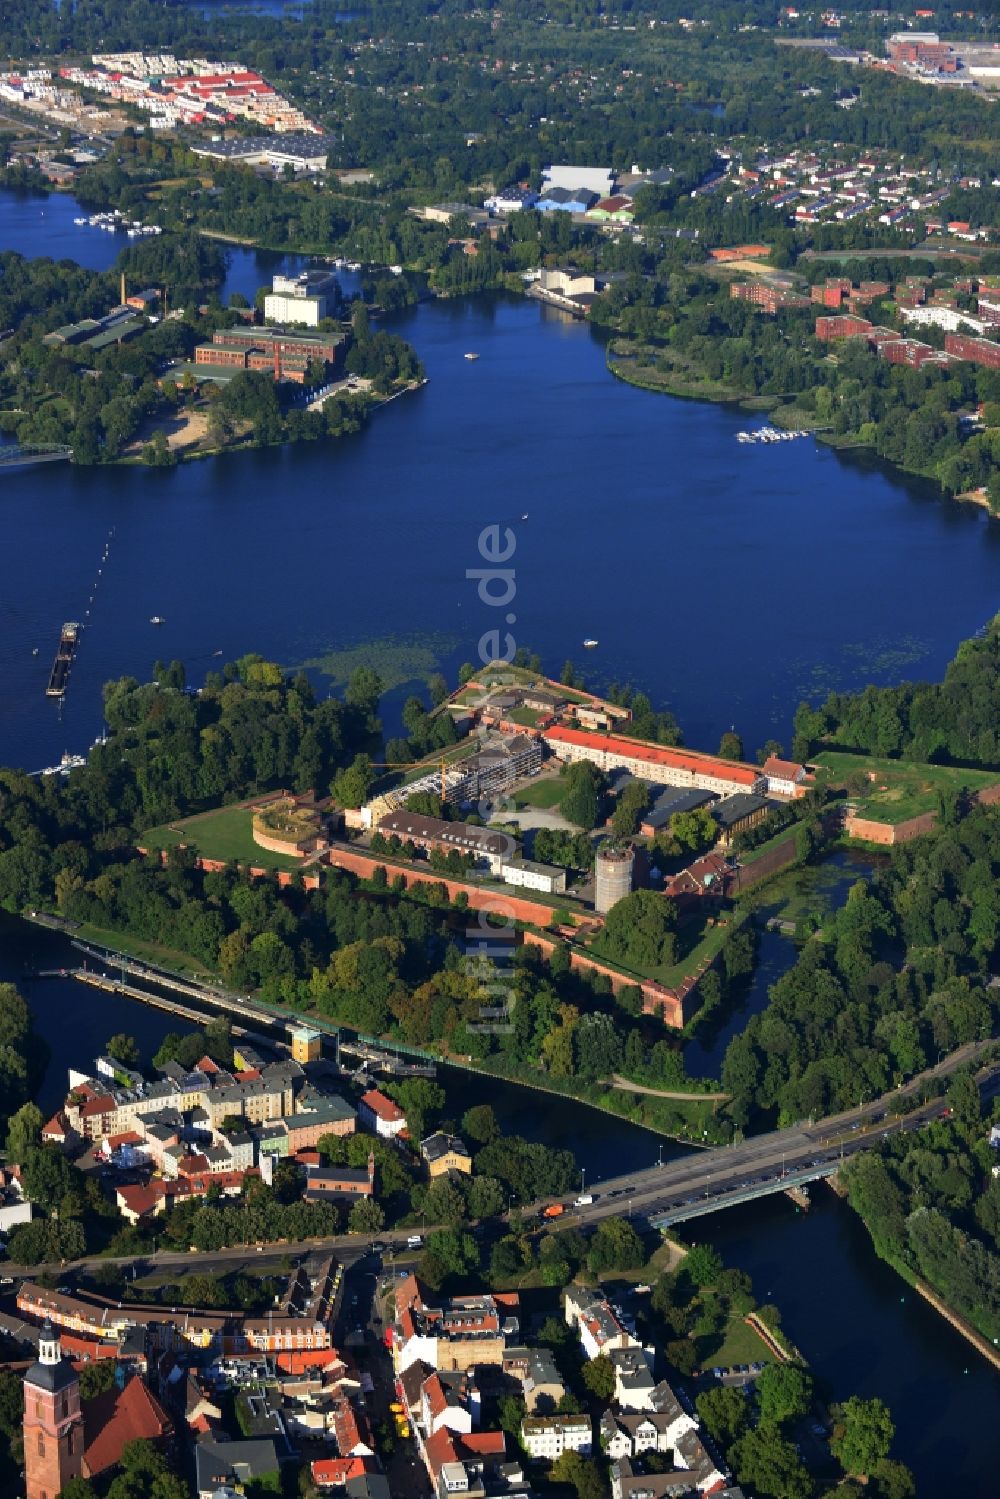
point(53, 1423)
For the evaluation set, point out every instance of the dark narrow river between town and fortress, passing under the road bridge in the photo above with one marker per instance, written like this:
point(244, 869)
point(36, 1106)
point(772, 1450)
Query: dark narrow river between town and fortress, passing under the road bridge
point(861, 1329)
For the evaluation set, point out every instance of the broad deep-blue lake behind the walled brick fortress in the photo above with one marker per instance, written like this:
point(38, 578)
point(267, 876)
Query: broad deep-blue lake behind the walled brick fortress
point(729, 582)
